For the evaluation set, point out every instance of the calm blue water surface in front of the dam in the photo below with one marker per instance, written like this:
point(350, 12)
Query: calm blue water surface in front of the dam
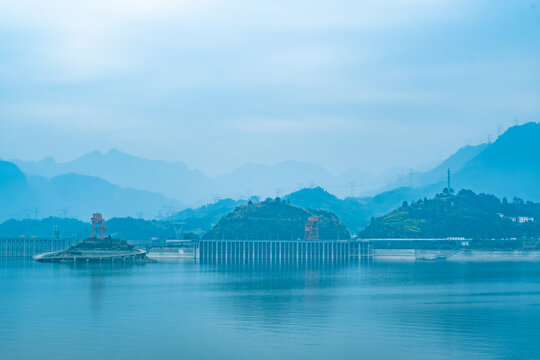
point(192, 311)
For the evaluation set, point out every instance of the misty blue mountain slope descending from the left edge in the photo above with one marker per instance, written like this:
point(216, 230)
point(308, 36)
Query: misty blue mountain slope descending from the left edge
point(72, 195)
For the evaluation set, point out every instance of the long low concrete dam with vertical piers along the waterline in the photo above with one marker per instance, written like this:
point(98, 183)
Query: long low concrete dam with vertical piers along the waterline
point(321, 251)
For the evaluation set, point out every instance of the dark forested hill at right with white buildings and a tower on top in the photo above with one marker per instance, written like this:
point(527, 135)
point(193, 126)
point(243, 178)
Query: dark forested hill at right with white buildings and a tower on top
point(466, 214)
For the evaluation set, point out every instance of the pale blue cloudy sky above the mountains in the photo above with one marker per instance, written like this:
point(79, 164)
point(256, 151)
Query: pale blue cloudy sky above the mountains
point(370, 85)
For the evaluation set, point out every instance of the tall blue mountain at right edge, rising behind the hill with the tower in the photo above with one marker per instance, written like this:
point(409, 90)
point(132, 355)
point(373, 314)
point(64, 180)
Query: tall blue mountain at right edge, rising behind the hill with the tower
point(507, 167)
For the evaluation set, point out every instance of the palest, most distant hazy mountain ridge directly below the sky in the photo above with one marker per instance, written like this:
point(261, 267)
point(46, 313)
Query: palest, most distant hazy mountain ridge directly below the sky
point(192, 187)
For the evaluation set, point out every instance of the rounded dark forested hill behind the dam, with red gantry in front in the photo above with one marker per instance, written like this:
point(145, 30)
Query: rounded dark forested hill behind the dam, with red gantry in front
point(275, 219)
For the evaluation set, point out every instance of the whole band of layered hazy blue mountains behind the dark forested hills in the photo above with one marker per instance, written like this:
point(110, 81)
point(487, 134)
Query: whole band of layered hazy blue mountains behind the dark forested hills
point(120, 184)
